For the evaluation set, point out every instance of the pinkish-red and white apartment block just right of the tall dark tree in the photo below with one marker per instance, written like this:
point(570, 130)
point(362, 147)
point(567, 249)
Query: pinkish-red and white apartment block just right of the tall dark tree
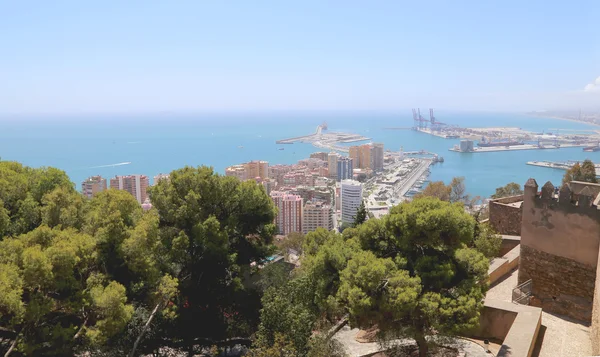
point(289, 212)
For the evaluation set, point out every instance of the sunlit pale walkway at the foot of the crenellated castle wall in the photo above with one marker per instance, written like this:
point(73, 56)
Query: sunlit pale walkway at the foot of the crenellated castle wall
point(559, 336)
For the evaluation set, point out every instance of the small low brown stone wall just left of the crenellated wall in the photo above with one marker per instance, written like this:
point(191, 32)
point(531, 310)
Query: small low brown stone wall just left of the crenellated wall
point(505, 215)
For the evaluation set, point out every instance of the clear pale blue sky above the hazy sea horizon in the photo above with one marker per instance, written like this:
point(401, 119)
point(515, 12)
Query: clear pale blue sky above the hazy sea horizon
point(185, 56)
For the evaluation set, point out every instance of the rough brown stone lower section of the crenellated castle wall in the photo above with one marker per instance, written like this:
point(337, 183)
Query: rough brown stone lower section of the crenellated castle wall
point(559, 285)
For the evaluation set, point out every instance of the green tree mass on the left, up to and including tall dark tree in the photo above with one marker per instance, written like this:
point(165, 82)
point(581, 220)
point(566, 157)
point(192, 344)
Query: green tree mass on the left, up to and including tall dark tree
point(100, 274)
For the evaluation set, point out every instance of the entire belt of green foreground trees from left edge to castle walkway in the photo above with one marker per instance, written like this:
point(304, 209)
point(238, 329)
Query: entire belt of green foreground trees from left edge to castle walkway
point(102, 277)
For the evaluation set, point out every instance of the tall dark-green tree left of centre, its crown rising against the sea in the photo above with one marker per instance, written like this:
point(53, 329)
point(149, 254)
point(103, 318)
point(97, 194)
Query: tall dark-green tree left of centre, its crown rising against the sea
point(213, 227)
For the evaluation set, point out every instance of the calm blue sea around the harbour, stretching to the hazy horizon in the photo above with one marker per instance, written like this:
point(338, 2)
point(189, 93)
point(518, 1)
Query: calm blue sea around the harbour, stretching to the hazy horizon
point(110, 145)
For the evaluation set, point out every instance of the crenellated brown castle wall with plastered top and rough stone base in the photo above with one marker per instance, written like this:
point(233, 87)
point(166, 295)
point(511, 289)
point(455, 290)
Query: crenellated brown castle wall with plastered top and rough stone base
point(560, 240)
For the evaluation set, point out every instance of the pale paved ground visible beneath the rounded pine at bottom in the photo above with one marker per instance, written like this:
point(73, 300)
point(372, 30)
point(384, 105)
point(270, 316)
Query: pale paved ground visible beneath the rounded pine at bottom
point(347, 336)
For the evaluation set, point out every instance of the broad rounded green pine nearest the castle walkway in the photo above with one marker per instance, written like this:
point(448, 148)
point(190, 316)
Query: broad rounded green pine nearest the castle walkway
point(413, 273)
